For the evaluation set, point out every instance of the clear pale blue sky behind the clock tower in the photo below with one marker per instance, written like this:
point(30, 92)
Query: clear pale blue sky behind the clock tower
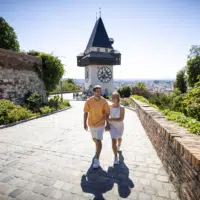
point(154, 36)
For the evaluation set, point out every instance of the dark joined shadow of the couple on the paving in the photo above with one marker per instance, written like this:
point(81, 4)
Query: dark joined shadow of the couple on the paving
point(98, 181)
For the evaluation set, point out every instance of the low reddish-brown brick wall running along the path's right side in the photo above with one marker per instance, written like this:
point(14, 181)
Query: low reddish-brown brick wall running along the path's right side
point(178, 150)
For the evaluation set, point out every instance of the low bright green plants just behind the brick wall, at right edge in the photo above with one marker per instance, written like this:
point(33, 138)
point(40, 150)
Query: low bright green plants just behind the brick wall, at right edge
point(191, 124)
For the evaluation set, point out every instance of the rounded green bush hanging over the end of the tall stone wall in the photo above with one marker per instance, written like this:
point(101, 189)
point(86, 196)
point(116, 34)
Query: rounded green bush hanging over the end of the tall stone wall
point(52, 69)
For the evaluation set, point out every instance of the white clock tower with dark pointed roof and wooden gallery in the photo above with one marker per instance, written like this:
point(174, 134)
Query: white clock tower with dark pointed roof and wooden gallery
point(98, 59)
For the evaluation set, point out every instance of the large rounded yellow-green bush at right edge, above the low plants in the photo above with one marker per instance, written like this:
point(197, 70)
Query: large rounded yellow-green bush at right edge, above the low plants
point(192, 101)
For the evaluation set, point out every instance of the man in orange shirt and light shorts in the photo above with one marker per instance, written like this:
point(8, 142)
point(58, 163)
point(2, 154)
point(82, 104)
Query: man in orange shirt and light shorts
point(96, 113)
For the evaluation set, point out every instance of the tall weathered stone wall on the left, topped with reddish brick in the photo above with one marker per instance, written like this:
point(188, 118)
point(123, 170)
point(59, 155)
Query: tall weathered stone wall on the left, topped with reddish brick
point(19, 74)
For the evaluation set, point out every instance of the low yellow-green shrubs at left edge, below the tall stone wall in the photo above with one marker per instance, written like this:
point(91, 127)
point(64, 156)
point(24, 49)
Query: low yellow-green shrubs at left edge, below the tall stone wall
point(11, 113)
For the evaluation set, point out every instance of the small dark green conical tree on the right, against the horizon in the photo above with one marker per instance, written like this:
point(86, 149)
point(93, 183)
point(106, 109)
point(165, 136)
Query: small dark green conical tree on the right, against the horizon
point(180, 82)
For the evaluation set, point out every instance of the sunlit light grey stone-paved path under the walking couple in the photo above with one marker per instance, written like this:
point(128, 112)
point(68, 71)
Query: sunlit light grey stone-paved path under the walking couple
point(50, 158)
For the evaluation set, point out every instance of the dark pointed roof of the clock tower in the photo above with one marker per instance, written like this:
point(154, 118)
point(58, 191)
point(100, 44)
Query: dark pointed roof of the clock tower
point(99, 36)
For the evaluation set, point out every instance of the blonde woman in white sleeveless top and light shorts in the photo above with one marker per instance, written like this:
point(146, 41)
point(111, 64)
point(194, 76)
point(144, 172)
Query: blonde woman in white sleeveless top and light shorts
point(116, 124)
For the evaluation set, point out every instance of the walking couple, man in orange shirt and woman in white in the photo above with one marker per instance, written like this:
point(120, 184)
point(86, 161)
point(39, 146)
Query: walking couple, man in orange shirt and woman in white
point(97, 113)
